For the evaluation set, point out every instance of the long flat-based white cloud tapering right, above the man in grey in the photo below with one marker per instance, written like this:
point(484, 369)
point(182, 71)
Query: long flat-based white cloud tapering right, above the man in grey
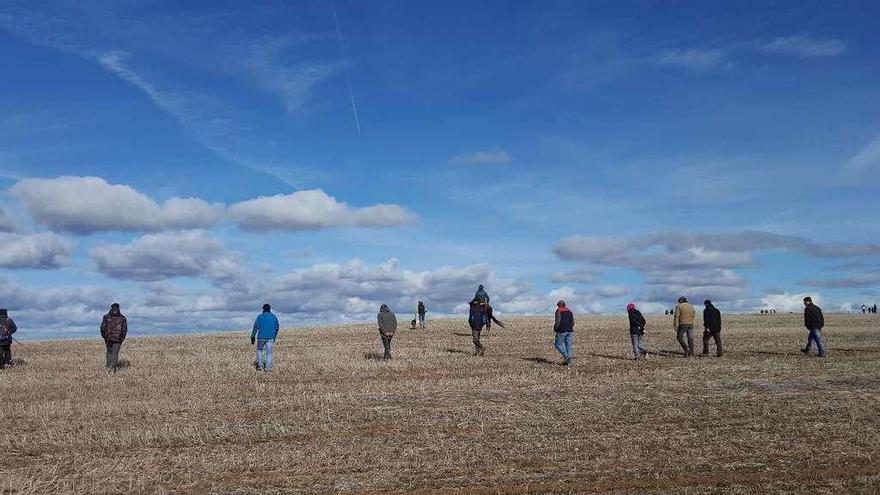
point(311, 210)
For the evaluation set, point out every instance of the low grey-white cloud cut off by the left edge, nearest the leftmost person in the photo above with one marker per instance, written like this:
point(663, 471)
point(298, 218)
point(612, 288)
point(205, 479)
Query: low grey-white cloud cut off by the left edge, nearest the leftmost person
point(41, 251)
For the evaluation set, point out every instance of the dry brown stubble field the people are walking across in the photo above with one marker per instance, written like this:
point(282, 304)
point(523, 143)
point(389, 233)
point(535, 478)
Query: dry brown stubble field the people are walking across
point(189, 414)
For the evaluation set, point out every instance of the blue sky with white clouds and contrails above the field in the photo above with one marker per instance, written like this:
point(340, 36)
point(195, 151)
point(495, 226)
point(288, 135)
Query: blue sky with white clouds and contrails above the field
point(194, 160)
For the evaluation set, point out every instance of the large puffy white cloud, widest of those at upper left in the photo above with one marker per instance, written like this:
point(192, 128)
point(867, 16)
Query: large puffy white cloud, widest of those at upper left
point(85, 205)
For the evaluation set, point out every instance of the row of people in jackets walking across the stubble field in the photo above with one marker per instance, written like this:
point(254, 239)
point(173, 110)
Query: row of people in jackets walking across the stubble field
point(114, 329)
